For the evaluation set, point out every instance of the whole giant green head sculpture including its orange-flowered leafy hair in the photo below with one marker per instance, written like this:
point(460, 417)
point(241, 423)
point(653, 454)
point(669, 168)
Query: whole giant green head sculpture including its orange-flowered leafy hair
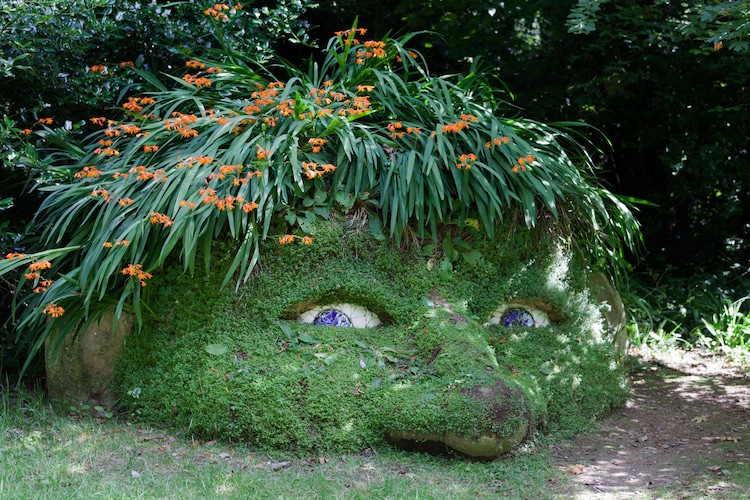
point(409, 264)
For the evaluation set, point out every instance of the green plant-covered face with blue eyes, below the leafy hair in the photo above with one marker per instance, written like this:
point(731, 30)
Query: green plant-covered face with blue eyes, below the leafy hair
point(475, 358)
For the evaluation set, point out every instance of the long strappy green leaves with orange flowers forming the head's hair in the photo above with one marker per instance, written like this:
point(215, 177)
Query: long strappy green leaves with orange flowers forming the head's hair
point(262, 151)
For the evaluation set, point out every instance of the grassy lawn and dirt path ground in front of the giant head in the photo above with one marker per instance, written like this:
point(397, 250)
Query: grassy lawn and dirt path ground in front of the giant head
point(683, 434)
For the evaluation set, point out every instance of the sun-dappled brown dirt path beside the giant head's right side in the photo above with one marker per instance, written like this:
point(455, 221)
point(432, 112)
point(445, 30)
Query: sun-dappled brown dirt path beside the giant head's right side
point(682, 434)
